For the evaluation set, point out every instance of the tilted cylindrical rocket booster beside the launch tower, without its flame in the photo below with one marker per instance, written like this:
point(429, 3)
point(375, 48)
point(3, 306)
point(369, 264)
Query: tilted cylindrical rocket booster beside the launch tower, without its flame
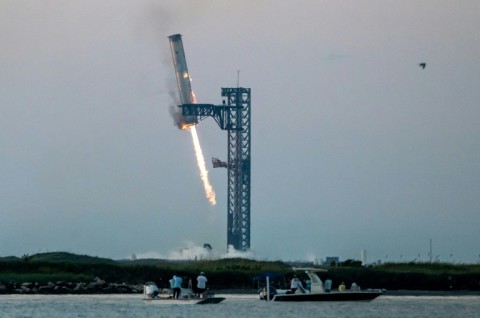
point(181, 72)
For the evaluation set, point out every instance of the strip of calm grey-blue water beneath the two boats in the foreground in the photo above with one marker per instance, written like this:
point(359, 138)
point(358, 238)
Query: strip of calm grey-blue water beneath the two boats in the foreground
point(235, 306)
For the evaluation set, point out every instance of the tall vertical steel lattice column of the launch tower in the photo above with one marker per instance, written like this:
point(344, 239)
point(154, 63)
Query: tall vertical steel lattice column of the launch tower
point(238, 217)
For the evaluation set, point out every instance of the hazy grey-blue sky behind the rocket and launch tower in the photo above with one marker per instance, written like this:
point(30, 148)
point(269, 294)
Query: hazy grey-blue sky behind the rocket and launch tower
point(354, 146)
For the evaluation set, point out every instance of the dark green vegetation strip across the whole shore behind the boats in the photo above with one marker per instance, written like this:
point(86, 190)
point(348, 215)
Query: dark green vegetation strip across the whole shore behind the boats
point(236, 273)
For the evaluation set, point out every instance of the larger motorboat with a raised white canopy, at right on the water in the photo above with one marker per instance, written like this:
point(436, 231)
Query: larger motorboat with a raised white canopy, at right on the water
point(317, 292)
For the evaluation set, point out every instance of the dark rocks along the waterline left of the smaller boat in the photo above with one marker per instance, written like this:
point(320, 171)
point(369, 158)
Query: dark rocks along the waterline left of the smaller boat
point(97, 286)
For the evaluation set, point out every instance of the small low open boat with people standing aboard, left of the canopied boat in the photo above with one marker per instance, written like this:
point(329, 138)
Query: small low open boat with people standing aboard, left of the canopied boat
point(187, 296)
